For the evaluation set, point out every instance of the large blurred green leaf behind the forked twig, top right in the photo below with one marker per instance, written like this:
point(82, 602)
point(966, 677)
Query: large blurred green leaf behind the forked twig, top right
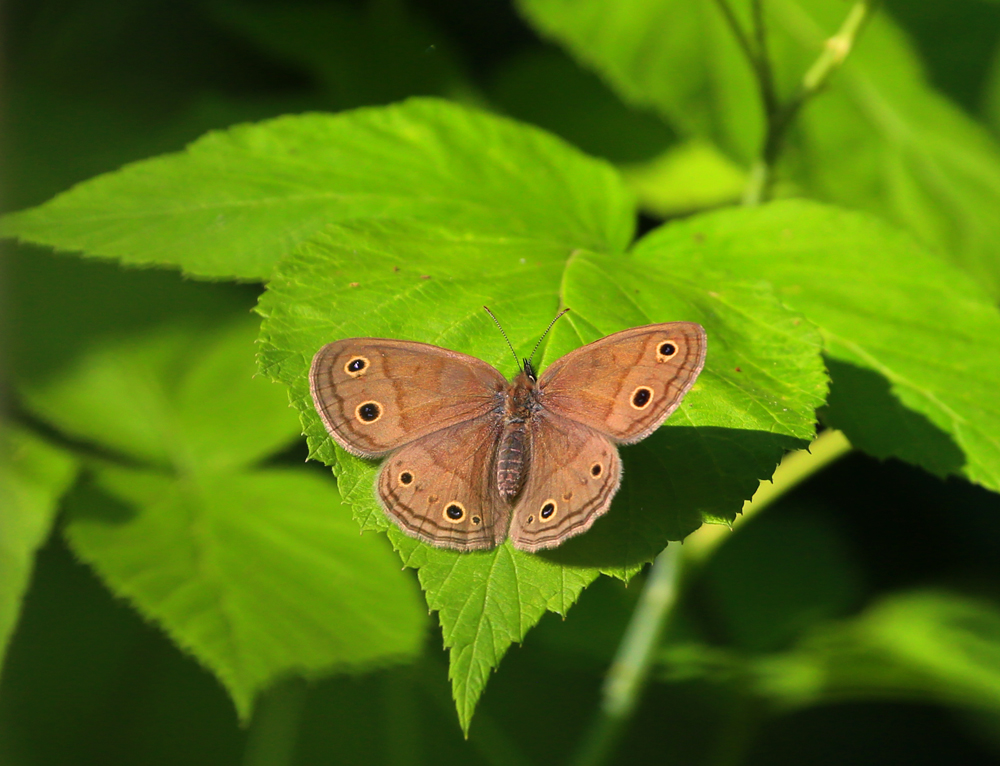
point(880, 138)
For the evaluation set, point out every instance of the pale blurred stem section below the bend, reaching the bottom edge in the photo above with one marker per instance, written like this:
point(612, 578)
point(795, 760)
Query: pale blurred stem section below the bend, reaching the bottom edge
point(629, 671)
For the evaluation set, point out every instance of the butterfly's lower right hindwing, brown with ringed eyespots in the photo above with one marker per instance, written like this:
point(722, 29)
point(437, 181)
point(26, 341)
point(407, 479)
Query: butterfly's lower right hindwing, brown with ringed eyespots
point(575, 472)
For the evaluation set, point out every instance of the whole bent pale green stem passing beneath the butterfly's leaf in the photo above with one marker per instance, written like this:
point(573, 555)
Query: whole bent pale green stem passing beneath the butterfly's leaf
point(629, 670)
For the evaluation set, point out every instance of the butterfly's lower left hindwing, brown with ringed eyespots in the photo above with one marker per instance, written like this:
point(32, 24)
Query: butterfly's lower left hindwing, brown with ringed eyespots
point(441, 488)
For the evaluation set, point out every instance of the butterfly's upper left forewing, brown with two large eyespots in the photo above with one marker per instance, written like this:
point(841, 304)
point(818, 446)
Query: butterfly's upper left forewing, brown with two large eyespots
point(375, 395)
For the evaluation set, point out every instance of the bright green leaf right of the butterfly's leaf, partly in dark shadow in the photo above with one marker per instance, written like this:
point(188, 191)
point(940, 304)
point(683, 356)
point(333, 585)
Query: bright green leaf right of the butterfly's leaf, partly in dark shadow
point(907, 321)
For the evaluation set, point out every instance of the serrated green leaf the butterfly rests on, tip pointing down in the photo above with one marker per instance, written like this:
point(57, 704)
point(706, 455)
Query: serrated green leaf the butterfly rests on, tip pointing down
point(403, 279)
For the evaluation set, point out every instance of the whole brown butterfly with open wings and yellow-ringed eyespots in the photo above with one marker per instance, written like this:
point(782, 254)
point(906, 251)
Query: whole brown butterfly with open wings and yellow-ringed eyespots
point(473, 459)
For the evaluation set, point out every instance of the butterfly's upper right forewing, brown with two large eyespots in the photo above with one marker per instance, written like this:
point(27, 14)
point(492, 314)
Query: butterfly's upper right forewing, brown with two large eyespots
point(625, 385)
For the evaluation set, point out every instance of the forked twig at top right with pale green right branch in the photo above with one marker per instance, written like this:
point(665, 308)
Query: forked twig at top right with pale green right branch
point(779, 116)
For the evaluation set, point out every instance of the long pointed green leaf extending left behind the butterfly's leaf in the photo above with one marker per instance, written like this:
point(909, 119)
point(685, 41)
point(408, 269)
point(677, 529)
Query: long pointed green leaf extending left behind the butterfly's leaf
point(235, 202)
